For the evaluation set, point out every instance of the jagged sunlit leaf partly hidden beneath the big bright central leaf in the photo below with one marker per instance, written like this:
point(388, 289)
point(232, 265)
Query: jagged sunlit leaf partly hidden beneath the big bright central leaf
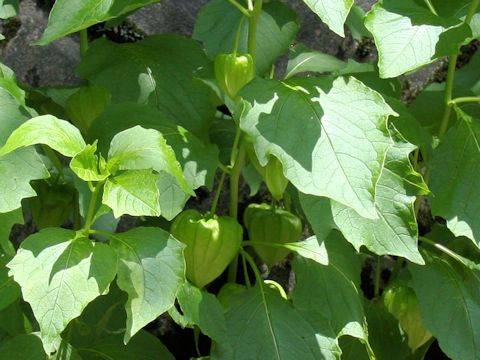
point(395, 230)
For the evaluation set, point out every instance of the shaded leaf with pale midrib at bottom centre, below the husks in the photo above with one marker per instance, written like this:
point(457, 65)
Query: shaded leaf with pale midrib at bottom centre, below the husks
point(263, 325)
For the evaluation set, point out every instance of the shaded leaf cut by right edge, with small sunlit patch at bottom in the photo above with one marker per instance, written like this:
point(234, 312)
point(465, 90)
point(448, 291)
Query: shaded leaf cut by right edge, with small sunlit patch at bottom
point(455, 169)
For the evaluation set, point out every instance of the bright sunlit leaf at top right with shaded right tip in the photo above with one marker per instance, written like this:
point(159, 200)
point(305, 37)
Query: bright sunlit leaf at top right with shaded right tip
point(409, 36)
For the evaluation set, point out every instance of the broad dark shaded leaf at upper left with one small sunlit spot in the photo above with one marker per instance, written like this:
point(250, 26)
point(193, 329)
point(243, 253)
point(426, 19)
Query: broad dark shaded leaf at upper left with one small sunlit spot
point(157, 71)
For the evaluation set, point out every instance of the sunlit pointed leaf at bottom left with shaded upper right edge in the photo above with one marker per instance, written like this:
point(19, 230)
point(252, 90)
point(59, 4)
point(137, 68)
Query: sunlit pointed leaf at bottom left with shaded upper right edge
point(60, 272)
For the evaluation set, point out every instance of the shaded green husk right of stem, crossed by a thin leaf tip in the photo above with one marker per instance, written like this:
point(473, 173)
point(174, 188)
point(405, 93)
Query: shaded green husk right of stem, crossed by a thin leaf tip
point(265, 224)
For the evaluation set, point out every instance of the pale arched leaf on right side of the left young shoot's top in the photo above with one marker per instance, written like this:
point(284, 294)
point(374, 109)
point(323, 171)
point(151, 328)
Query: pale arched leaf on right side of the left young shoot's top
point(139, 149)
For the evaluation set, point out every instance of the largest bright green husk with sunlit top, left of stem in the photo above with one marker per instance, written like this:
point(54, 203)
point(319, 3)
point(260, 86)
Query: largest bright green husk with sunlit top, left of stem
point(212, 243)
